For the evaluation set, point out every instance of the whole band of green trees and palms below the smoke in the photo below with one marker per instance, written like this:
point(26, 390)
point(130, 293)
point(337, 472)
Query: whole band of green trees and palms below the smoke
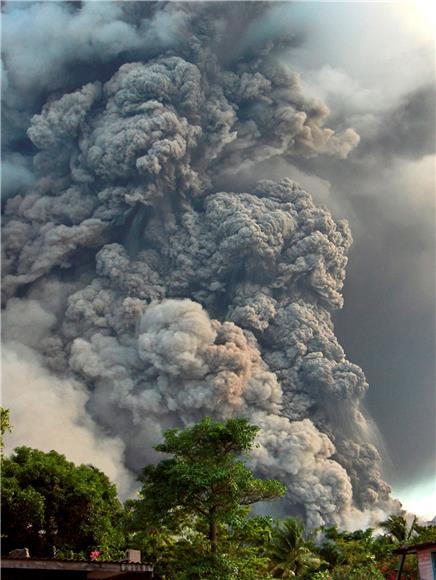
point(192, 517)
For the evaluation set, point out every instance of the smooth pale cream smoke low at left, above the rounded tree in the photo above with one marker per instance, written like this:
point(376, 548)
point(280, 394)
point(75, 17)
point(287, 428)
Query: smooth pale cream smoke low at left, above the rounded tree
point(50, 413)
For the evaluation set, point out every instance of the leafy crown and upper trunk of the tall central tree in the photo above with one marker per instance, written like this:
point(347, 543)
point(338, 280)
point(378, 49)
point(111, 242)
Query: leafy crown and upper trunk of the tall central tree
point(206, 477)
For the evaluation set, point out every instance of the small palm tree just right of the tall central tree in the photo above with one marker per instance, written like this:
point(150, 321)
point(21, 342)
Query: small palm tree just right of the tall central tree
point(290, 551)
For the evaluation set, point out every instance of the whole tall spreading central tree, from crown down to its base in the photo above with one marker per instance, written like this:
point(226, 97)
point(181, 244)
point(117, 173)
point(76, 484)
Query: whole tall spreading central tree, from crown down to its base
point(200, 491)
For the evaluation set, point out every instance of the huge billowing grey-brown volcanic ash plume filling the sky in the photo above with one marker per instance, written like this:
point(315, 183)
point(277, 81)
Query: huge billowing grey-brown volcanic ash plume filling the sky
point(141, 295)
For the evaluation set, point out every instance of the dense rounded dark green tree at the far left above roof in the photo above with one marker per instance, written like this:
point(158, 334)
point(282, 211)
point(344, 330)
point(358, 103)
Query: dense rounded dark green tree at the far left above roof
point(51, 505)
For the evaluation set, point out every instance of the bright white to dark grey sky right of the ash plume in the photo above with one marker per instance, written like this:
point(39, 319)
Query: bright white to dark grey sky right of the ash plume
point(373, 63)
